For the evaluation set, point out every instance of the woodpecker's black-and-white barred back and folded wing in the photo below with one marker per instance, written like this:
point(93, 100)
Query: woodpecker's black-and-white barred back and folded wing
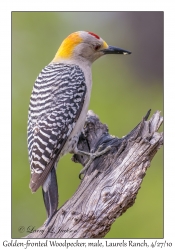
point(55, 105)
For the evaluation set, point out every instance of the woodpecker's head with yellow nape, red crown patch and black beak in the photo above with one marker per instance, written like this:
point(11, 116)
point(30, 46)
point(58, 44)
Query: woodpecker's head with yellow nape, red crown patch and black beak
point(84, 45)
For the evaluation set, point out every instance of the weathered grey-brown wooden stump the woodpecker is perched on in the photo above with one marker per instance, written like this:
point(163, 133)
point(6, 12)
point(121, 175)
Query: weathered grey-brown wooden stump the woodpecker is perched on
point(111, 183)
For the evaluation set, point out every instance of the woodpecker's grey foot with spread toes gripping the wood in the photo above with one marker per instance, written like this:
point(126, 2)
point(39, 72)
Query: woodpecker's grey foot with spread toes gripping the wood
point(92, 156)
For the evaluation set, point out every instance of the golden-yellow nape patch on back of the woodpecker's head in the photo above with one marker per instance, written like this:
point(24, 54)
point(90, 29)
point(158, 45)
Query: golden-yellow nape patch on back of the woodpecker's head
point(68, 45)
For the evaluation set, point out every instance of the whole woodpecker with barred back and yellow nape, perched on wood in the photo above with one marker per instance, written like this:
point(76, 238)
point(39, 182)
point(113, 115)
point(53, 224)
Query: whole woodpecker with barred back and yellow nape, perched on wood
point(58, 107)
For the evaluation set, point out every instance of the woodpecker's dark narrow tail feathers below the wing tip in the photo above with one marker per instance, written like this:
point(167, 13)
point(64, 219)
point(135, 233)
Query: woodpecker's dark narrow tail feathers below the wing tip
point(50, 196)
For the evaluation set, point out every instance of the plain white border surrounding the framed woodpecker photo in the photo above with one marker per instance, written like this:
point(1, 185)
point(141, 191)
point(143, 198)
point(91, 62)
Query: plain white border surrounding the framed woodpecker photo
point(5, 94)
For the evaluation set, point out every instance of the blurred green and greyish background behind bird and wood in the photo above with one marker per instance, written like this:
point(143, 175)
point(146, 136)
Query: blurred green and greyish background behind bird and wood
point(124, 88)
